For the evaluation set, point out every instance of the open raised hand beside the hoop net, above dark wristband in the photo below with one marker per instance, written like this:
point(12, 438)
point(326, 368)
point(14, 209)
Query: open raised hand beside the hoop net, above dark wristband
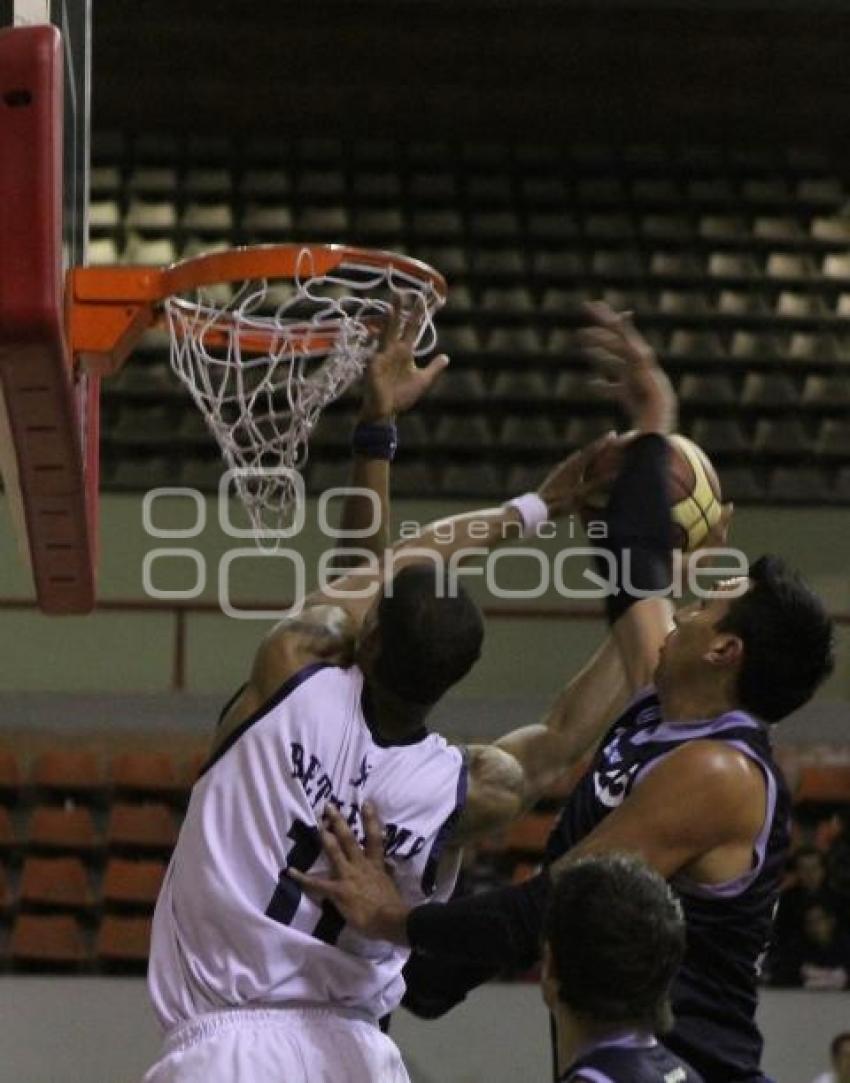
point(394, 382)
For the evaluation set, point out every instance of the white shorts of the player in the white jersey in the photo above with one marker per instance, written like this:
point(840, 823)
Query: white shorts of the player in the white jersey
point(279, 1046)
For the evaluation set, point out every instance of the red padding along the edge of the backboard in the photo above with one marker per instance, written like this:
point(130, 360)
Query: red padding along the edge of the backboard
point(44, 401)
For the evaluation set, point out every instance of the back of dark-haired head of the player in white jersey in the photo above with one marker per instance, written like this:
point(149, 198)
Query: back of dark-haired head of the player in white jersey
point(422, 635)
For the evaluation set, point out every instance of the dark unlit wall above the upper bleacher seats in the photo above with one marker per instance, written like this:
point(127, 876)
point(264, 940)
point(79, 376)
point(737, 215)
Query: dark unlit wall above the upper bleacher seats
point(744, 73)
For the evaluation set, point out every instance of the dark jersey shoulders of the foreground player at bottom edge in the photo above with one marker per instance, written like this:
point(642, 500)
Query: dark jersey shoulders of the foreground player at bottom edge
point(631, 1060)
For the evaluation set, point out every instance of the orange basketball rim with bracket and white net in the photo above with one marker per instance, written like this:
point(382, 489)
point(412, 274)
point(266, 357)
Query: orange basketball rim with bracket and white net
point(264, 338)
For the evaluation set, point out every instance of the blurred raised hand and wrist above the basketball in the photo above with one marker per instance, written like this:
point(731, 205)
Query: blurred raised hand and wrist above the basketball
point(630, 371)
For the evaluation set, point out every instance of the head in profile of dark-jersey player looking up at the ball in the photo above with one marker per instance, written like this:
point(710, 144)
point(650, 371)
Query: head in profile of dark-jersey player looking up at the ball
point(771, 646)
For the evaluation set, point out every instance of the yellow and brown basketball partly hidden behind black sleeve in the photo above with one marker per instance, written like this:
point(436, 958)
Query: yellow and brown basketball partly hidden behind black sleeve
point(696, 499)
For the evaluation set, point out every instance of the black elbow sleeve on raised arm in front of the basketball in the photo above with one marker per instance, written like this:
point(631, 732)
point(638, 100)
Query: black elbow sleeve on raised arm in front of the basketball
point(639, 531)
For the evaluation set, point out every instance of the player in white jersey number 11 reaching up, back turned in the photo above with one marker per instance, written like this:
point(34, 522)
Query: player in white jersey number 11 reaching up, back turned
point(252, 980)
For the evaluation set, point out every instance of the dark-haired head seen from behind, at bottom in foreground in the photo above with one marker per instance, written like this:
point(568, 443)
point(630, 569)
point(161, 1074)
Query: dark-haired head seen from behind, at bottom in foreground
point(614, 938)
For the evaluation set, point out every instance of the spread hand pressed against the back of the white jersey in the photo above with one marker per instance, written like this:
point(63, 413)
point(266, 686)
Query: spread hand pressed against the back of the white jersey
point(363, 892)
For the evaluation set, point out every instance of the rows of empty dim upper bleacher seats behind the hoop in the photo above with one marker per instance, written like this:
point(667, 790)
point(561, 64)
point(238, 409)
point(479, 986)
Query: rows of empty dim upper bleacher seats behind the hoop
point(735, 264)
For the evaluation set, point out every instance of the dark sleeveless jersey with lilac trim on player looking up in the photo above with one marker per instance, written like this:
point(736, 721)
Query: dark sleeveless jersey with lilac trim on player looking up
point(715, 994)
